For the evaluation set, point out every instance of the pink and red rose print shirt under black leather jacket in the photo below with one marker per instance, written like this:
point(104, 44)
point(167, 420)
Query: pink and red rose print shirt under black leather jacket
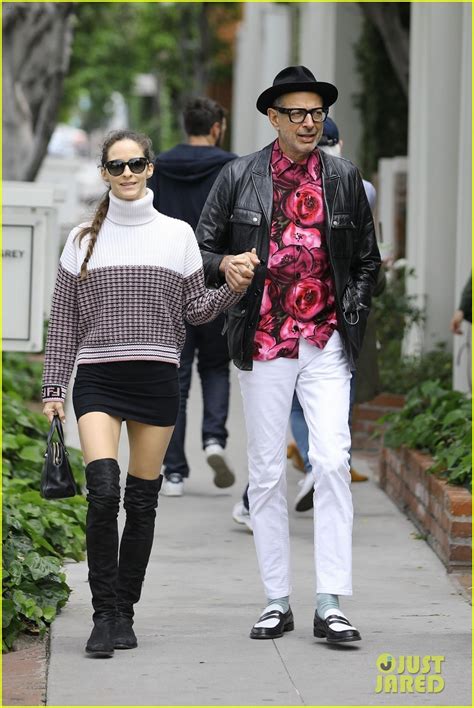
point(298, 297)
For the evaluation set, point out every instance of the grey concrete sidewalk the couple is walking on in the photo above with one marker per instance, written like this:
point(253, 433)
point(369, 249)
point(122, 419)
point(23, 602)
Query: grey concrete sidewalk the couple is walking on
point(202, 594)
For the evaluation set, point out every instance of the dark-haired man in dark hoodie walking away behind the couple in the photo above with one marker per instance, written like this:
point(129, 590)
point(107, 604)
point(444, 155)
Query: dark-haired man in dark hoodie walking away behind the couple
point(181, 181)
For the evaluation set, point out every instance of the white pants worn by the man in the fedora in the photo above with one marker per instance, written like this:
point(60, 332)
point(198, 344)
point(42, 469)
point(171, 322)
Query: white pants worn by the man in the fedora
point(321, 378)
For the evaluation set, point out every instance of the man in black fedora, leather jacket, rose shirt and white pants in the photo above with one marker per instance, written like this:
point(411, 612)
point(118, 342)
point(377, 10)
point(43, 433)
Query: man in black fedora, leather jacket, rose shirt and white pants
point(310, 265)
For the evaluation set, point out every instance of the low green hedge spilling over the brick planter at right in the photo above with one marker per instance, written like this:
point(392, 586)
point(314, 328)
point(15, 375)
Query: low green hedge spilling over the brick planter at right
point(438, 421)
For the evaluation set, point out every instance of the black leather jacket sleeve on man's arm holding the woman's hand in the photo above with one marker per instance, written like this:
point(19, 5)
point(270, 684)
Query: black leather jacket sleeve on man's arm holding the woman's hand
point(212, 231)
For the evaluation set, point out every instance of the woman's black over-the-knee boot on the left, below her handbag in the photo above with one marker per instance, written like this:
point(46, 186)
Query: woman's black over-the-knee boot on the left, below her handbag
point(103, 485)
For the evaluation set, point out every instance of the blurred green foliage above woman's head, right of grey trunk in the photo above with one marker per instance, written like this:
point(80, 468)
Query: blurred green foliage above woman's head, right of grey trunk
point(182, 45)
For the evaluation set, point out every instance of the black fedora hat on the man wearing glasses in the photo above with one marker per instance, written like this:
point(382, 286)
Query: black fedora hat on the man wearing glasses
point(296, 78)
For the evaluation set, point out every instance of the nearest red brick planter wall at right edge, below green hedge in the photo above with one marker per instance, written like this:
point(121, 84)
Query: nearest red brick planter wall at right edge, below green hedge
point(442, 511)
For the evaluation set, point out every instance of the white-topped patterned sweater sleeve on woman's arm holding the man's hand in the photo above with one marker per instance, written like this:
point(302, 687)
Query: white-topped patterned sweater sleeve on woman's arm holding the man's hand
point(199, 304)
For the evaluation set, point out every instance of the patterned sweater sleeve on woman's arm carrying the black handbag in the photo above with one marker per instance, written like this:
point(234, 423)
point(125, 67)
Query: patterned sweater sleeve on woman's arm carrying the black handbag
point(62, 337)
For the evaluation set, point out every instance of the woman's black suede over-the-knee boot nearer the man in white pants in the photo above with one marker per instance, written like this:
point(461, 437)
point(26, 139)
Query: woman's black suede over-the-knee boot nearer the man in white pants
point(140, 502)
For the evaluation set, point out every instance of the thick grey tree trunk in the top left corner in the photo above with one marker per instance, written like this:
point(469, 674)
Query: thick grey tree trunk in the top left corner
point(36, 50)
